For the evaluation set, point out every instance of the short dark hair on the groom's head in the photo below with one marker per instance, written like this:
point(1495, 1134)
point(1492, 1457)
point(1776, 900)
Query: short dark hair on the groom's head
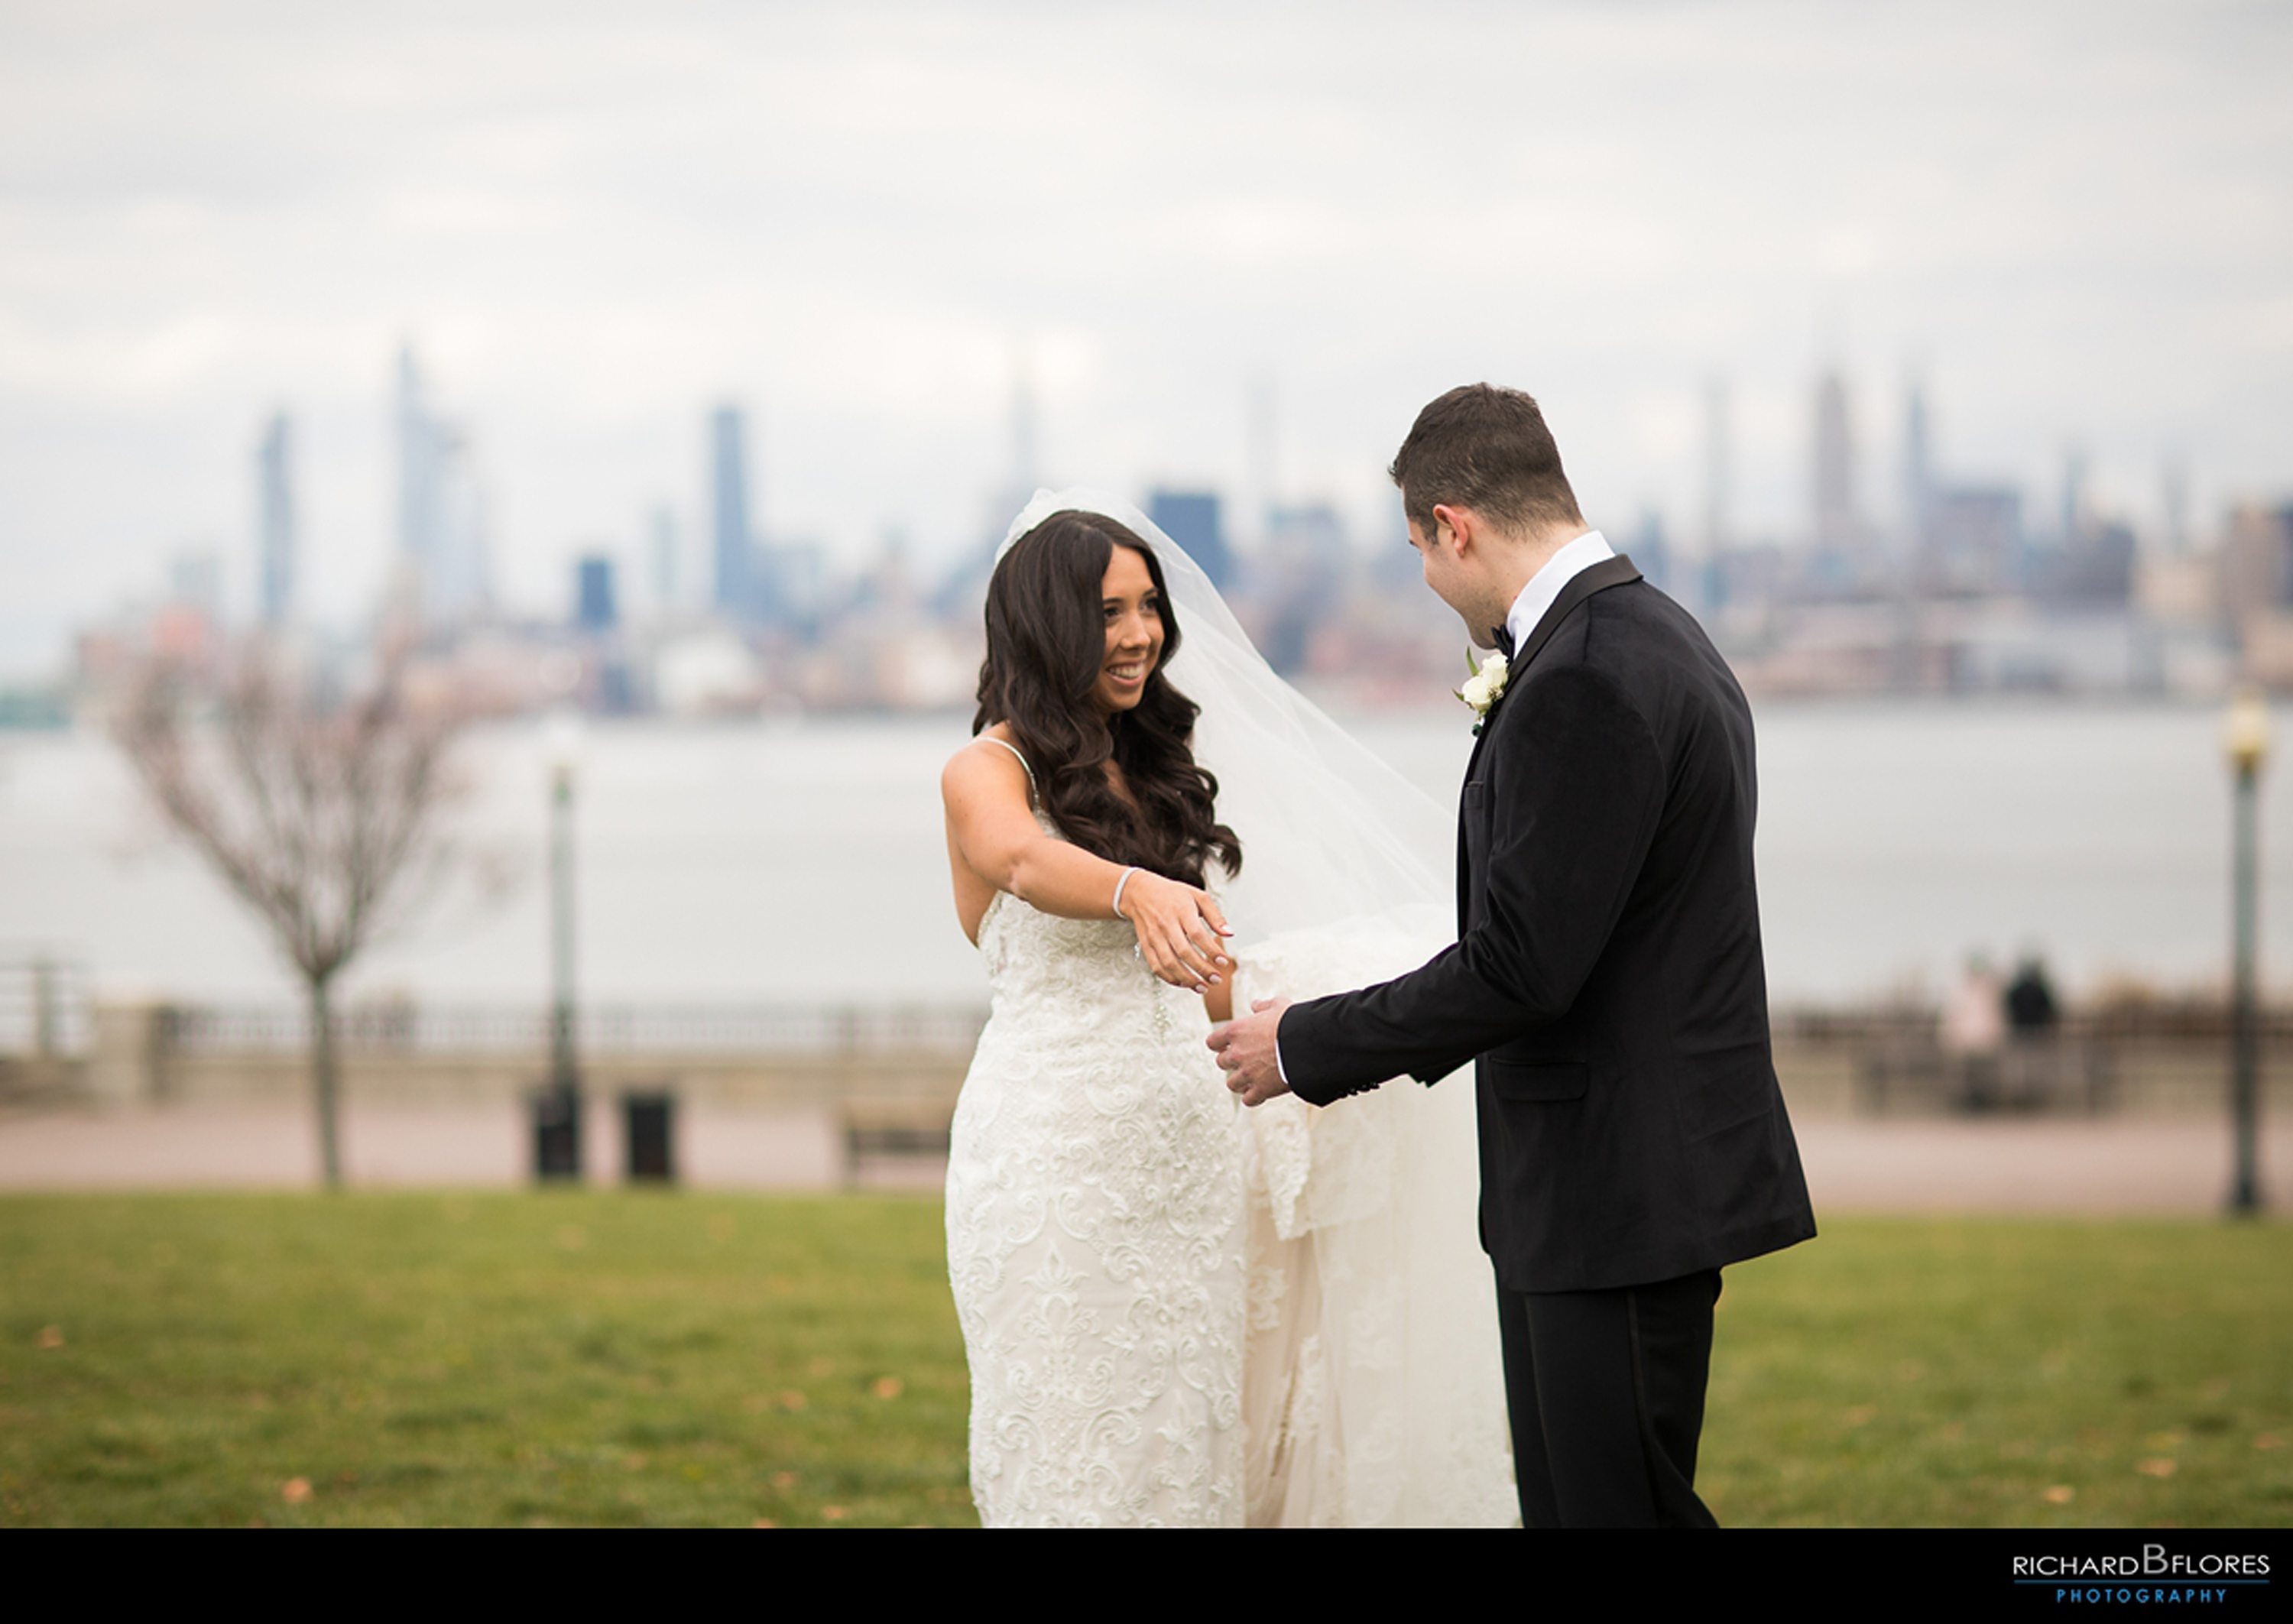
point(1489, 451)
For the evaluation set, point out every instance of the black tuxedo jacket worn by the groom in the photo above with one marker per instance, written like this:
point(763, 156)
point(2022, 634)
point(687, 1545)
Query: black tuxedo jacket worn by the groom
point(1609, 976)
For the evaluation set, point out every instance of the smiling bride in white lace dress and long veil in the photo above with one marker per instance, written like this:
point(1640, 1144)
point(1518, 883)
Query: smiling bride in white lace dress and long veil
point(1180, 1313)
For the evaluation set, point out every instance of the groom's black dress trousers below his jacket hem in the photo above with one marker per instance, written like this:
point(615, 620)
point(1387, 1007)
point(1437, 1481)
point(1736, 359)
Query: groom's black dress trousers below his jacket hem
point(1606, 1393)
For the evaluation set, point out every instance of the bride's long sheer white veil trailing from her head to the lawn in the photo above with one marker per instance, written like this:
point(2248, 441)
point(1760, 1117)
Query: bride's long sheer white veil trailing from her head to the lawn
point(1372, 1380)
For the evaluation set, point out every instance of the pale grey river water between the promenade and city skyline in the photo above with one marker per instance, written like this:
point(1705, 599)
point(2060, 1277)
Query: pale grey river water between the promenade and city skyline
point(804, 859)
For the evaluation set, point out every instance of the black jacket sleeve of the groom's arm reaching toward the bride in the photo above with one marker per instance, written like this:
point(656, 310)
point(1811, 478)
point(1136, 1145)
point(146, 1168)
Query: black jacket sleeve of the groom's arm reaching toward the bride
point(1579, 790)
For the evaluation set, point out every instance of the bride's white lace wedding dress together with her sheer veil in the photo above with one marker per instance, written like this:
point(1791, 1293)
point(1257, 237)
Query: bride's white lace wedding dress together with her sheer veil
point(1180, 1313)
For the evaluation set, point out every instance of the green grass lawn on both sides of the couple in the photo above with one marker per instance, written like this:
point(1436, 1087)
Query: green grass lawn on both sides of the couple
point(719, 1359)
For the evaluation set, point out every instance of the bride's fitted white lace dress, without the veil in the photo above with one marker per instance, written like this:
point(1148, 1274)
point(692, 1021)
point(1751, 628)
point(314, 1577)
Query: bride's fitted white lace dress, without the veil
point(1095, 1237)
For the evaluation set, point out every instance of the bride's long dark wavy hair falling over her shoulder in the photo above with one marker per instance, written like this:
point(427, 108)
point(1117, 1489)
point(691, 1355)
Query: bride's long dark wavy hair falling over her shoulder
point(1047, 646)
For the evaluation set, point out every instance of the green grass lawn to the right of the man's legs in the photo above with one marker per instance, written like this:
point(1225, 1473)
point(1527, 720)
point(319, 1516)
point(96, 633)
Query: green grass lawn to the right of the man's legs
point(2008, 1375)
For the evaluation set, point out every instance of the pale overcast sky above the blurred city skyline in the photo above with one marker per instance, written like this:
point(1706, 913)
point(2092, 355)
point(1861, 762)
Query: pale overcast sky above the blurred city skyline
point(597, 221)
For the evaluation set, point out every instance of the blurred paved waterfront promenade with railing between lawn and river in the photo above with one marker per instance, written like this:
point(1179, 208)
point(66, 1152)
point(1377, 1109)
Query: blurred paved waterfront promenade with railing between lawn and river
point(781, 1098)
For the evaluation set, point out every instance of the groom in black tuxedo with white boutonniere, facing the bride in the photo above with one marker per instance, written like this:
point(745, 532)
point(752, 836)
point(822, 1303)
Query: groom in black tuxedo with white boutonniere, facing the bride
point(1606, 981)
